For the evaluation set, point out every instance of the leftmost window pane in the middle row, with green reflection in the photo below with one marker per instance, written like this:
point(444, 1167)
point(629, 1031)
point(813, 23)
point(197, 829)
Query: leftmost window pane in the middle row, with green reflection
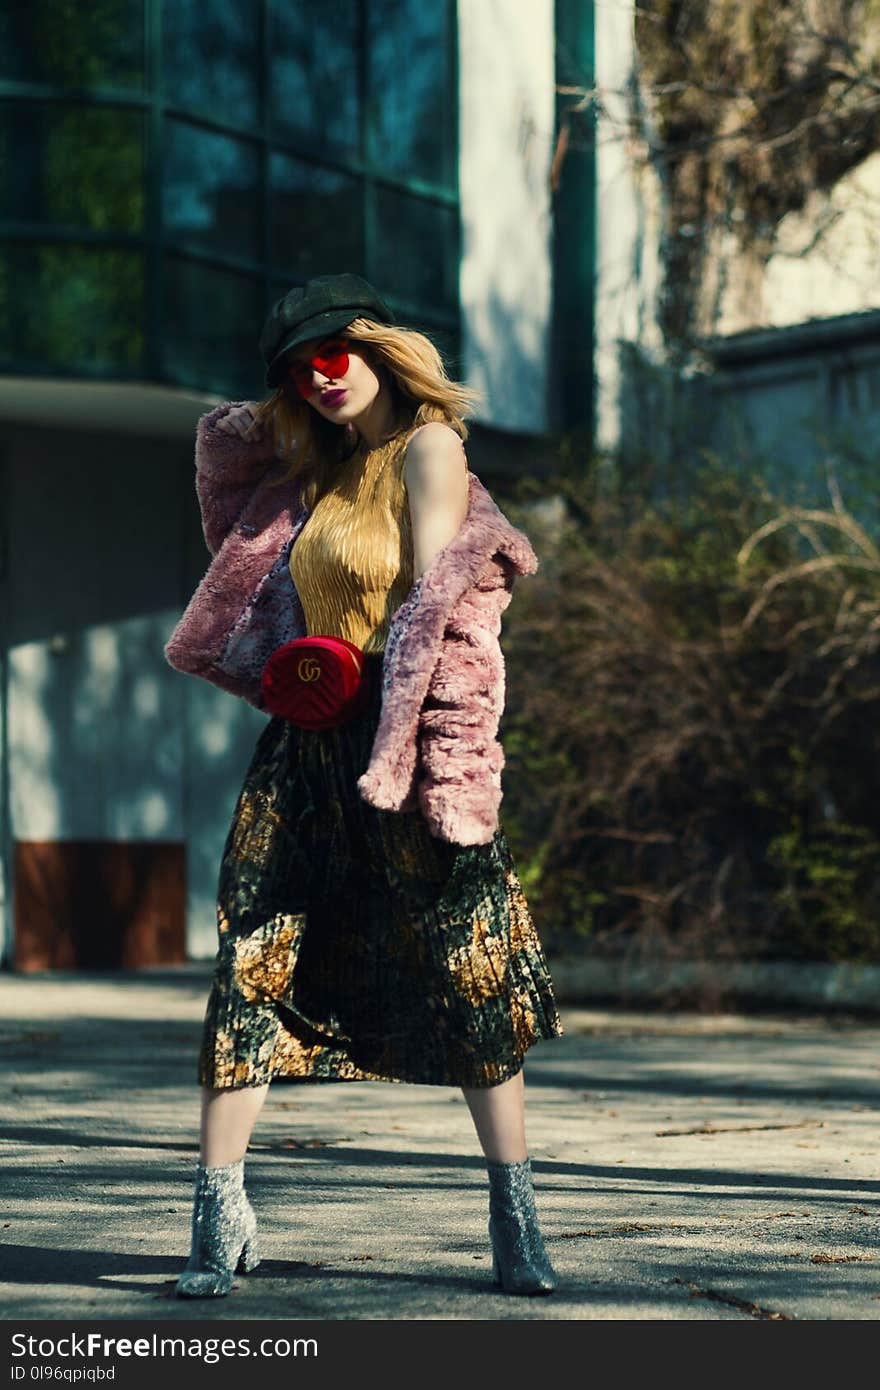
point(76, 166)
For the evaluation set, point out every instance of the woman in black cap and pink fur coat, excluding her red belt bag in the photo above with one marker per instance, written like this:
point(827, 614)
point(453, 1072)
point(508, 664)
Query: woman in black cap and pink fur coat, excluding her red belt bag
point(372, 924)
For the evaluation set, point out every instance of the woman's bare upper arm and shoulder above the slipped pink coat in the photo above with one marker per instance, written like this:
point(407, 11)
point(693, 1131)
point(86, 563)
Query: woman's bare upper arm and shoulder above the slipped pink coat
point(436, 476)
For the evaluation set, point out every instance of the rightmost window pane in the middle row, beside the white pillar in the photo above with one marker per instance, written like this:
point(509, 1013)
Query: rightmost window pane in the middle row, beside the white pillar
point(416, 250)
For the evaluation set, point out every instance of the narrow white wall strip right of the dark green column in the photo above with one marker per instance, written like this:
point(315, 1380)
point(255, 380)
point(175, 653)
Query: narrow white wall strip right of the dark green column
point(629, 219)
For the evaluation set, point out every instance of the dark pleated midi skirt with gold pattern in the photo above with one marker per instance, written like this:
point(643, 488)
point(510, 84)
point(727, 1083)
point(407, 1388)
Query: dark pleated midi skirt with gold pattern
point(354, 945)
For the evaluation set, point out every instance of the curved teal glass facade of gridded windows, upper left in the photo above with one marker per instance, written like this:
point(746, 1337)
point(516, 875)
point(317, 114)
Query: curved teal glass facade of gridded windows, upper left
point(169, 169)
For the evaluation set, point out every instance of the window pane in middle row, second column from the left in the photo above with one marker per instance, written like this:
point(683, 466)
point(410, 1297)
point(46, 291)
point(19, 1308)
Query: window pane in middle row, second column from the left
point(212, 190)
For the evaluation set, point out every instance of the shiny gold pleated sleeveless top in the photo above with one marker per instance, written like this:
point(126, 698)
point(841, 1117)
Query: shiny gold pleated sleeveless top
point(352, 562)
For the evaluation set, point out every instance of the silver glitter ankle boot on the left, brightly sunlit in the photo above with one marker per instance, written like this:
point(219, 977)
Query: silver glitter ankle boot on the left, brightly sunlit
point(225, 1234)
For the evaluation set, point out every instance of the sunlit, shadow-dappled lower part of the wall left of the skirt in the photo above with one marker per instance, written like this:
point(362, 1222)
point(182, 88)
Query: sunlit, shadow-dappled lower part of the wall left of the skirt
point(109, 743)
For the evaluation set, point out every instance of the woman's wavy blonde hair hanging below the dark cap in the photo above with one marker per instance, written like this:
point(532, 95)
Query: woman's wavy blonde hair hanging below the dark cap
point(422, 391)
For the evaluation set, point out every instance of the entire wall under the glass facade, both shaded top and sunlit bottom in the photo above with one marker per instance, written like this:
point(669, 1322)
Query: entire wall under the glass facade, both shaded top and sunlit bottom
point(106, 742)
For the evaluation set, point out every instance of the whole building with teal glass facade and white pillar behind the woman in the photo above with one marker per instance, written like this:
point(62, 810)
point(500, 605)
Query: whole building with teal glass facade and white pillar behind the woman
point(168, 170)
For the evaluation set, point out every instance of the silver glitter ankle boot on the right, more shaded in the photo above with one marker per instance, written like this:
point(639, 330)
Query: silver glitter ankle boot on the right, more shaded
point(521, 1264)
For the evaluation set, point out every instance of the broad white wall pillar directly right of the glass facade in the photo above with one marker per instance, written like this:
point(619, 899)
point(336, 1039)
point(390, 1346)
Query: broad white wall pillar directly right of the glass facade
point(507, 116)
